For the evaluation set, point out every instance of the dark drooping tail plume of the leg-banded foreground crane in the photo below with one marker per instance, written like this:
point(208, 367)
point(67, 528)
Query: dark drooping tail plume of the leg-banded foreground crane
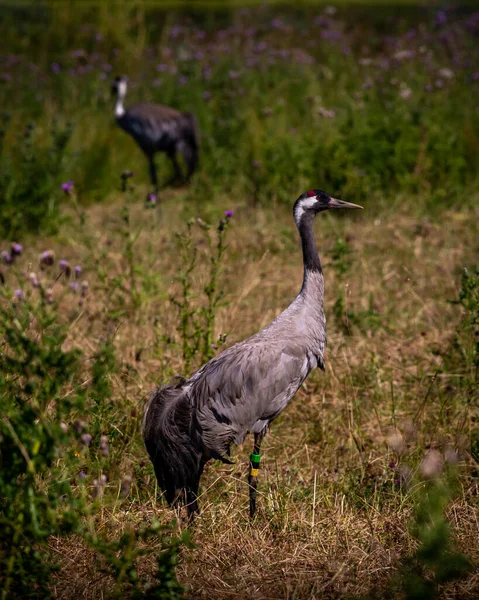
point(167, 433)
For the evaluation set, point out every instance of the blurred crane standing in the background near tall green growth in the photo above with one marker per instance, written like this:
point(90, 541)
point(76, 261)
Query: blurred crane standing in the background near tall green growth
point(158, 128)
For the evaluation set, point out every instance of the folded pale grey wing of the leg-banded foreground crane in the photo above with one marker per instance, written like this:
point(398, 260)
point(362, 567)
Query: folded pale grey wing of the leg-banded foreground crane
point(243, 385)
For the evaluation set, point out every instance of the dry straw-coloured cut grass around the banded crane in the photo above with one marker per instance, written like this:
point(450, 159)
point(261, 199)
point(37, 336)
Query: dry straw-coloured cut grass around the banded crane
point(332, 521)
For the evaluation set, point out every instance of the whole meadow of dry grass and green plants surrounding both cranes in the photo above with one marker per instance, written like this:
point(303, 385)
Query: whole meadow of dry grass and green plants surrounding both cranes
point(368, 486)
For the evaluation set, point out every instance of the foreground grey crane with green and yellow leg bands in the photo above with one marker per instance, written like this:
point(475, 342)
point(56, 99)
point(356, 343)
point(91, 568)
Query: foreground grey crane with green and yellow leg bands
point(245, 387)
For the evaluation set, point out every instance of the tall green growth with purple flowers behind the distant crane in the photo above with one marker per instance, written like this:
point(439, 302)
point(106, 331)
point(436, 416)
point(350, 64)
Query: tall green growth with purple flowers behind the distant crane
point(366, 106)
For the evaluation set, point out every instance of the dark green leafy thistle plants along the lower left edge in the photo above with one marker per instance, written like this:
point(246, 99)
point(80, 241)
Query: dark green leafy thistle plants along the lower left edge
point(46, 437)
